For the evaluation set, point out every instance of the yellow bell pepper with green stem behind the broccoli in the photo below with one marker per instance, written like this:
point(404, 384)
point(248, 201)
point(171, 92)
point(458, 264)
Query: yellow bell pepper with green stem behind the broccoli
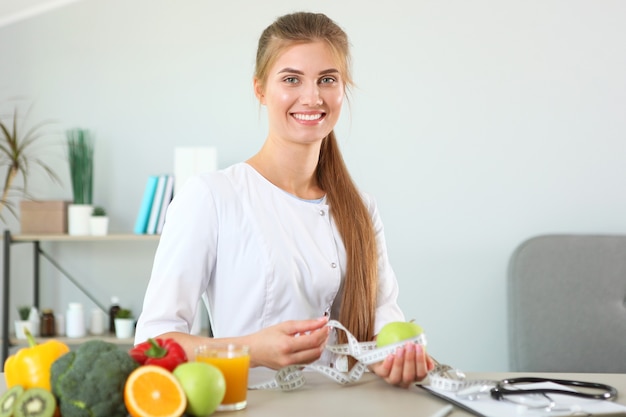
point(30, 366)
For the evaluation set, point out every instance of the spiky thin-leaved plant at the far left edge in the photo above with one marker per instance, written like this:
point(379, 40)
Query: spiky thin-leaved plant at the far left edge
point(18, 150)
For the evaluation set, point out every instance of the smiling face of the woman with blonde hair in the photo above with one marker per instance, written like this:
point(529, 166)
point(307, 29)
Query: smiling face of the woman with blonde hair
point(303, 93)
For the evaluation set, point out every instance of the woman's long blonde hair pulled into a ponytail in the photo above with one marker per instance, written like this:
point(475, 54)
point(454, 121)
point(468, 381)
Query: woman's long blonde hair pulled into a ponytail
point(358, 303)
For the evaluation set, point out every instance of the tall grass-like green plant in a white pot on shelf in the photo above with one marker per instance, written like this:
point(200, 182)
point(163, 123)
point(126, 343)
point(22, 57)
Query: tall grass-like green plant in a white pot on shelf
point(80, 155)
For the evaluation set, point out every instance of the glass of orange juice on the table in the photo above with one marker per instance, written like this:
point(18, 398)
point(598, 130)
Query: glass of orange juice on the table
point(234, 362)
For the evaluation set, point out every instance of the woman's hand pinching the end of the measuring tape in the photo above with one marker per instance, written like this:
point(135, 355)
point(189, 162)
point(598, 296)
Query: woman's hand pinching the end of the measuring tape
point(289, 343)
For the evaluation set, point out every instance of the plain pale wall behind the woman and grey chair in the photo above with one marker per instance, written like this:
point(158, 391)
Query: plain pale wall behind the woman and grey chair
point(476, 125)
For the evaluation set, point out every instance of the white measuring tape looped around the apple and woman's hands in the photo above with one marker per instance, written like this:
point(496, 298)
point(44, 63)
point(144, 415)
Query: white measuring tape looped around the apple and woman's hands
point(366, 353)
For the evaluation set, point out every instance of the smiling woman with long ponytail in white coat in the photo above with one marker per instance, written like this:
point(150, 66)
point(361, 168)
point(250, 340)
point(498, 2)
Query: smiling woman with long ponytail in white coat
point(284, 241)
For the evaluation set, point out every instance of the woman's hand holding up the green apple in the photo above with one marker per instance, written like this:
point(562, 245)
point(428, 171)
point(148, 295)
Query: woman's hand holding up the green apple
point(406, 366)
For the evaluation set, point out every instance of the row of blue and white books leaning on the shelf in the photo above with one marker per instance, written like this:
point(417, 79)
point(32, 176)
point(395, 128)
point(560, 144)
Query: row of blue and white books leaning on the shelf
point(156, 197)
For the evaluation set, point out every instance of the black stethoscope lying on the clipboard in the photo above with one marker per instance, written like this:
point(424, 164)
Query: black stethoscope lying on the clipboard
point(607, 392)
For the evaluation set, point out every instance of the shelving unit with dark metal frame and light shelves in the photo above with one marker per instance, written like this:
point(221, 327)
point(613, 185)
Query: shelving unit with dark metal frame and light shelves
point(36, 240)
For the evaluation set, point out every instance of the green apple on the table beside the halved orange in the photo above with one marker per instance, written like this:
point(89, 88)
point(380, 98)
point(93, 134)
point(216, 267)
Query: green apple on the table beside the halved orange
point(204, 387)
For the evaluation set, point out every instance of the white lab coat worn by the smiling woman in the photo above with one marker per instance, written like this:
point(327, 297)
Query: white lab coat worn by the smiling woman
point(261, 255)
